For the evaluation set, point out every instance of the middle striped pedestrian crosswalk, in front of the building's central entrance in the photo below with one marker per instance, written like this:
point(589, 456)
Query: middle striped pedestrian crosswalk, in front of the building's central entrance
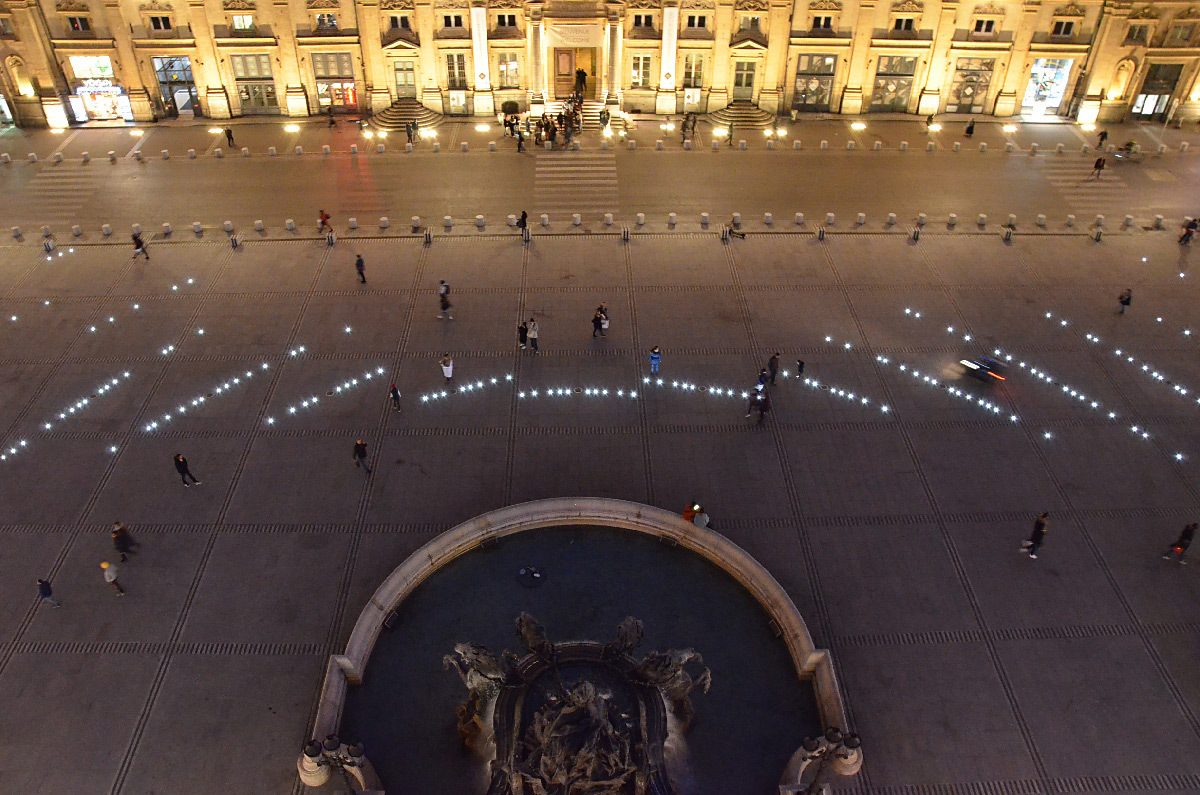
point(575, 182)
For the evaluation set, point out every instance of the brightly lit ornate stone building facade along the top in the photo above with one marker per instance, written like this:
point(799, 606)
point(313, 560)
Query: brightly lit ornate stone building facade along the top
point(65, 62)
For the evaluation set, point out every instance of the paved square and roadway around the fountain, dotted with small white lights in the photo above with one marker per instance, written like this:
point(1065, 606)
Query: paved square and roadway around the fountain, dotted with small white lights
point(886, 493)
